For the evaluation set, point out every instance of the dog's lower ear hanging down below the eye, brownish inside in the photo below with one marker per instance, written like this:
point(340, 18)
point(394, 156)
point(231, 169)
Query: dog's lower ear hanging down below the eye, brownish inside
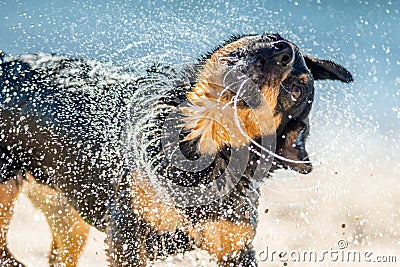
point(291, 145)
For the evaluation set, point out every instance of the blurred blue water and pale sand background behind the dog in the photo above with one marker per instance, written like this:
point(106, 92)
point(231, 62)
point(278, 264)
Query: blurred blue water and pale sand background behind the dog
point(353, 194)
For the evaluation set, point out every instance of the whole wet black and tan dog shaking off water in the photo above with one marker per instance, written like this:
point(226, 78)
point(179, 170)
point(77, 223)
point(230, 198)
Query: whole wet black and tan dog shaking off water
point(164, 162)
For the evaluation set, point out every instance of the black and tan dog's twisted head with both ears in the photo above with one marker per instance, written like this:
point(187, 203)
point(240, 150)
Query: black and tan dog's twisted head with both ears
point(277, 101)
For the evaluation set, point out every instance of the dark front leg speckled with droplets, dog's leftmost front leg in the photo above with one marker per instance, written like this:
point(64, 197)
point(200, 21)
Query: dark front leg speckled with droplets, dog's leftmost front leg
point(125, 231)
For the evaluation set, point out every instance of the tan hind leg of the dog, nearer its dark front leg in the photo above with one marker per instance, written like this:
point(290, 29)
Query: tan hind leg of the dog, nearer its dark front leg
point(69, 231)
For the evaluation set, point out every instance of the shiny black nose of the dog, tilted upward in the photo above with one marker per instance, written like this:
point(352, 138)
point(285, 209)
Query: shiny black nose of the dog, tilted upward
point(280, 52)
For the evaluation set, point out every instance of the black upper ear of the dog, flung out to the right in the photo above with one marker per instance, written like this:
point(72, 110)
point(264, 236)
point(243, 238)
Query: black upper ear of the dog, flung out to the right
point(325, 69)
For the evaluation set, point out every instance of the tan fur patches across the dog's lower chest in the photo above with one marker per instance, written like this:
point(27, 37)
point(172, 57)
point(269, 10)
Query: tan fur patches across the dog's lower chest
point(220, 238)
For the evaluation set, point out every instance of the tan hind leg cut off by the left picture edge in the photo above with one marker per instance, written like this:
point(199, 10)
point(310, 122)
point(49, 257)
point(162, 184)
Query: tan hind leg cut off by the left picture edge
point(8, 194)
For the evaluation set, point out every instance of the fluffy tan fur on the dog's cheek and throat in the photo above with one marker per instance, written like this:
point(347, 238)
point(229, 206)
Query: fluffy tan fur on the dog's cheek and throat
point(216, 123)
